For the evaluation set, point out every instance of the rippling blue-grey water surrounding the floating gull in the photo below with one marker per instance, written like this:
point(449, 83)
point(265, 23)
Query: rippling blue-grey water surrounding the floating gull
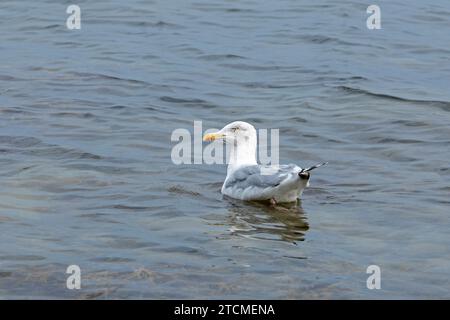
point(86, 176)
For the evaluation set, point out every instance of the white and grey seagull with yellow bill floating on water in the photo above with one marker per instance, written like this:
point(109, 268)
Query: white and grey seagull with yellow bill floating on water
point(247, 180)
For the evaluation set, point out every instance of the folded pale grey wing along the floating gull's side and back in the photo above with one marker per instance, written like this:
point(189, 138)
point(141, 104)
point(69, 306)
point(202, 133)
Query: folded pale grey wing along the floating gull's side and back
point(251, 176)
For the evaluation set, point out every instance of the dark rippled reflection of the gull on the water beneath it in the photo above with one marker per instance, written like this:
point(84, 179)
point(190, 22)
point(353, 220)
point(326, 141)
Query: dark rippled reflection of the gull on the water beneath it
point(257, 221)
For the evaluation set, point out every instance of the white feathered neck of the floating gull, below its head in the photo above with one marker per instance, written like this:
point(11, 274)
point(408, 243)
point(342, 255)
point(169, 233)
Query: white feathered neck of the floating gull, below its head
point(242, 153)
